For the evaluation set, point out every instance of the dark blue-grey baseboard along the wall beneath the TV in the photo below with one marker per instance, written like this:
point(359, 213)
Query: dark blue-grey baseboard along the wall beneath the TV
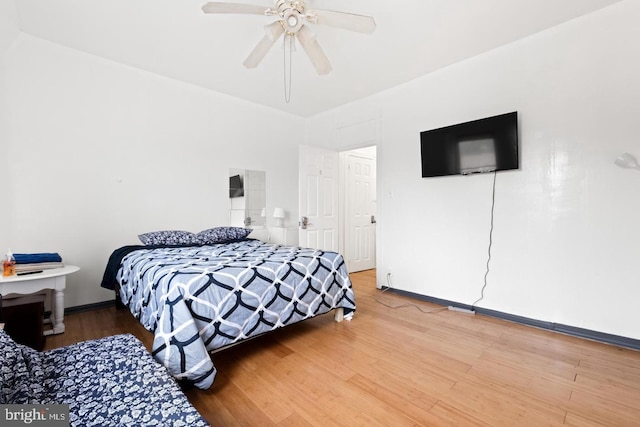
point(616, 340)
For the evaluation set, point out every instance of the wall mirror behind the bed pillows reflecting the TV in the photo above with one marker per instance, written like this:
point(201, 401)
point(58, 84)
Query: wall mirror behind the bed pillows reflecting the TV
point(247, 196)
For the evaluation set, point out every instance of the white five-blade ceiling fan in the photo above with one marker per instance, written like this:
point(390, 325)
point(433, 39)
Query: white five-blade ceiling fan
point(292, 17)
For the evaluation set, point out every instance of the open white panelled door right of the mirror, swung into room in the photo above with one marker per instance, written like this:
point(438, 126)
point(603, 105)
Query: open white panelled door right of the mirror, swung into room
point(318, 196)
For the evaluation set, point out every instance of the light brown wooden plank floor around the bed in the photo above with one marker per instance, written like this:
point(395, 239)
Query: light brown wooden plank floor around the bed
point(400, 366)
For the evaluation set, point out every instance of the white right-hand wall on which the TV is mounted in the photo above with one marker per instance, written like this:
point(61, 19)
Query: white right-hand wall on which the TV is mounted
point(566, 224)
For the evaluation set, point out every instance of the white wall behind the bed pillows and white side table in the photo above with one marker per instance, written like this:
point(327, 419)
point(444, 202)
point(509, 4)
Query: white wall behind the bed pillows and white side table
point(100, 153)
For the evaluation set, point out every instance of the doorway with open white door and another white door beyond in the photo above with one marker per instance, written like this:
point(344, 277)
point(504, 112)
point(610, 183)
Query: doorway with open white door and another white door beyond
point(337, 203)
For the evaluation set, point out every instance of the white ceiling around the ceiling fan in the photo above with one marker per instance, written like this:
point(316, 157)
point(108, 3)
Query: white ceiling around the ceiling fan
point(174, 38)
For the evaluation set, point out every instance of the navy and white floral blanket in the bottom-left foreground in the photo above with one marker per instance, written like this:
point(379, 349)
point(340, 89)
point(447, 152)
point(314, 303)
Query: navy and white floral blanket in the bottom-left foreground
point(111, 381)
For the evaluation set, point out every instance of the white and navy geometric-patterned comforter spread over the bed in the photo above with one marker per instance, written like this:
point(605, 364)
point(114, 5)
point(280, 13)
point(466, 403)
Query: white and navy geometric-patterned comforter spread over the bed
point(197, 299)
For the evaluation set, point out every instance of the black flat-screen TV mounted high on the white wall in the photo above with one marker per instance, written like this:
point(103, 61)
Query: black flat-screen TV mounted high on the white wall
point(485, 145)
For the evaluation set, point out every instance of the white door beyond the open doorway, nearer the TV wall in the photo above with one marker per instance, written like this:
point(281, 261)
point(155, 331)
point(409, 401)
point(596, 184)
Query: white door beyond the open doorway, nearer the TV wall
point(360, 211)
